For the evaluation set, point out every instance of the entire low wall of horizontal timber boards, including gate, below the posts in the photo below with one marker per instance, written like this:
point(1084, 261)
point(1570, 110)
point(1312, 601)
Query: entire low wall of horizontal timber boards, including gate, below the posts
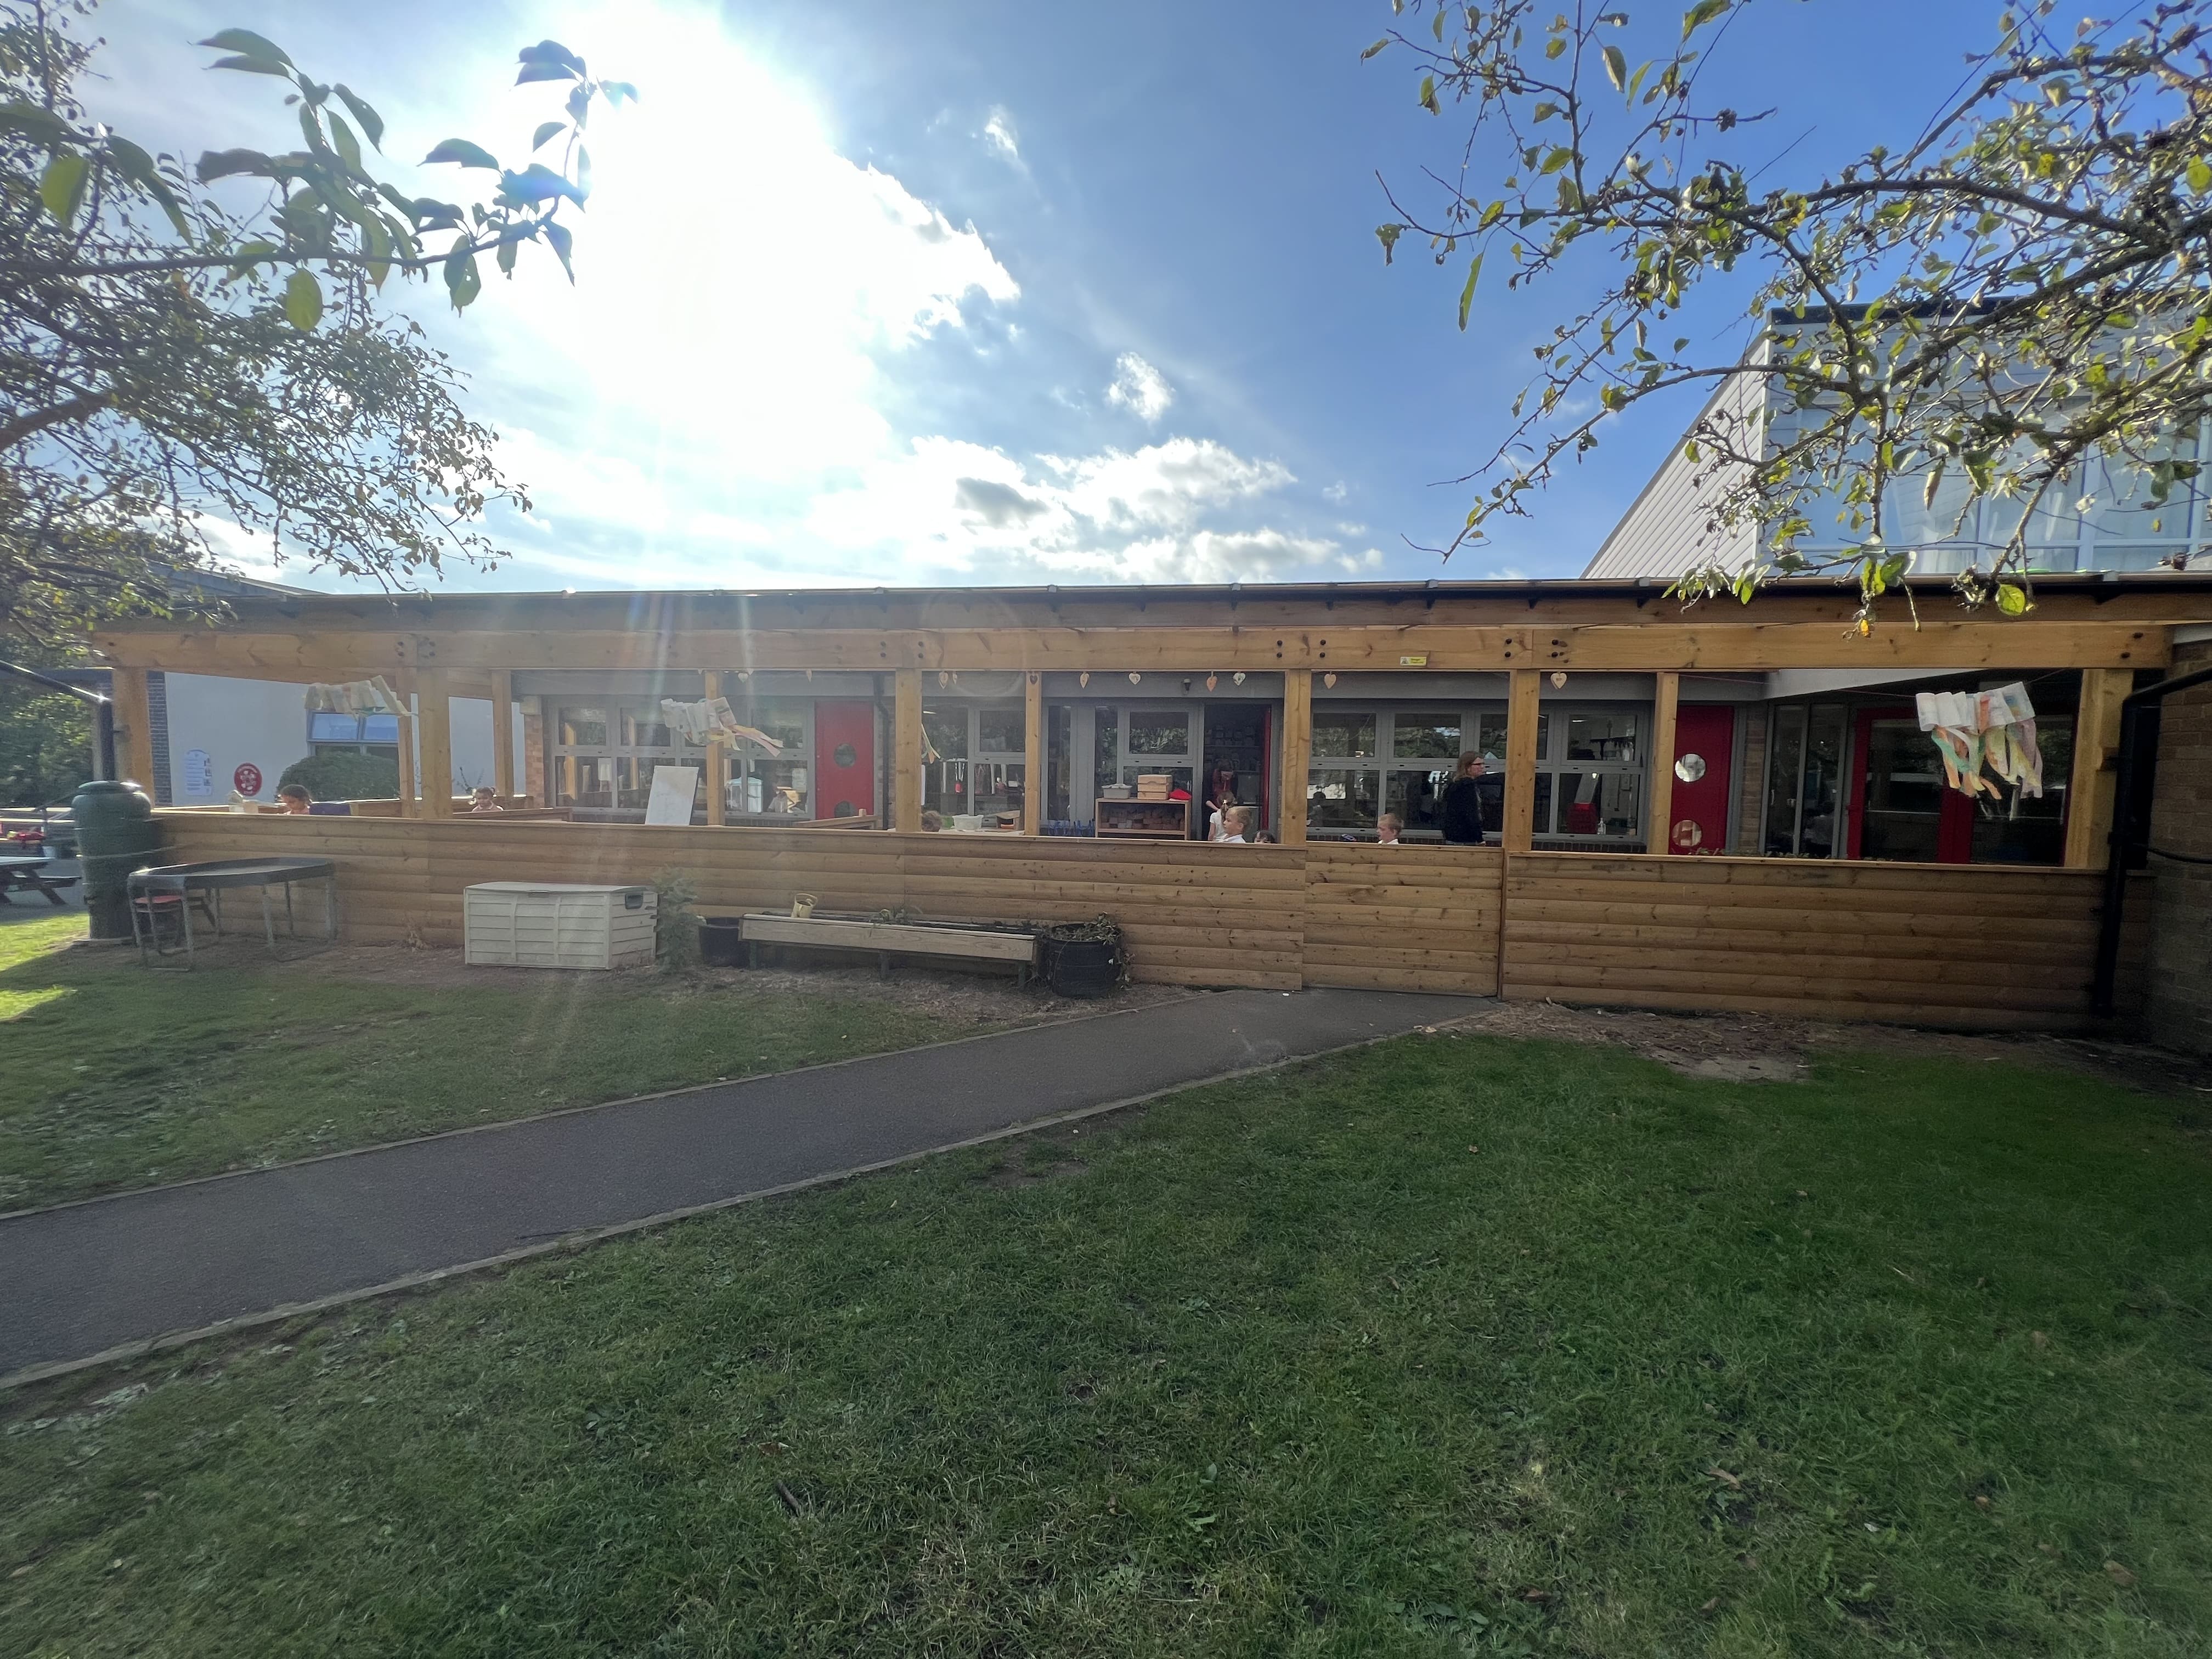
point(1917, 943)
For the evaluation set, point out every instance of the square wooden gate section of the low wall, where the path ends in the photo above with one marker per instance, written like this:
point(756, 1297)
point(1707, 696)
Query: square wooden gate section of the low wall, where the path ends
point(1404, 919)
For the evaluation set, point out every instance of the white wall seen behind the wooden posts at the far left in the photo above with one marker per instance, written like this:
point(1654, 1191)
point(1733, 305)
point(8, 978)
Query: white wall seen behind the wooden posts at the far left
point(264, 724)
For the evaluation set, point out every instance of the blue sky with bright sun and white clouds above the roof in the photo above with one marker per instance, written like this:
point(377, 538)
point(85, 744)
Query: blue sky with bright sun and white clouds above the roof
point(994, 293)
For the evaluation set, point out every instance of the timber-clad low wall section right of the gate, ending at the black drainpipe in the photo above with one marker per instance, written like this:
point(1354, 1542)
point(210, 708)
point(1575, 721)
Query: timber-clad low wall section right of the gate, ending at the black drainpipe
point(1919, 943)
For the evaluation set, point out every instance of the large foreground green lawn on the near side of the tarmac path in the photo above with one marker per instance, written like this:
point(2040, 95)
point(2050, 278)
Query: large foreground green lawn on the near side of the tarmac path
point(1910, 1359)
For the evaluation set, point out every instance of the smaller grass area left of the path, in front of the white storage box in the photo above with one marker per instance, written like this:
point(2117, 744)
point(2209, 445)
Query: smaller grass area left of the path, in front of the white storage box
point(116, 1078)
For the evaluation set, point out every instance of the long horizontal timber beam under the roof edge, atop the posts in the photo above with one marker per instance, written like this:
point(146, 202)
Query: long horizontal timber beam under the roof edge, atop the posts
point(1322, 645)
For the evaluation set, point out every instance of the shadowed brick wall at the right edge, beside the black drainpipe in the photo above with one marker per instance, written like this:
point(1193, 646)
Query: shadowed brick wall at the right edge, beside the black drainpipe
point(2180, 1003)
